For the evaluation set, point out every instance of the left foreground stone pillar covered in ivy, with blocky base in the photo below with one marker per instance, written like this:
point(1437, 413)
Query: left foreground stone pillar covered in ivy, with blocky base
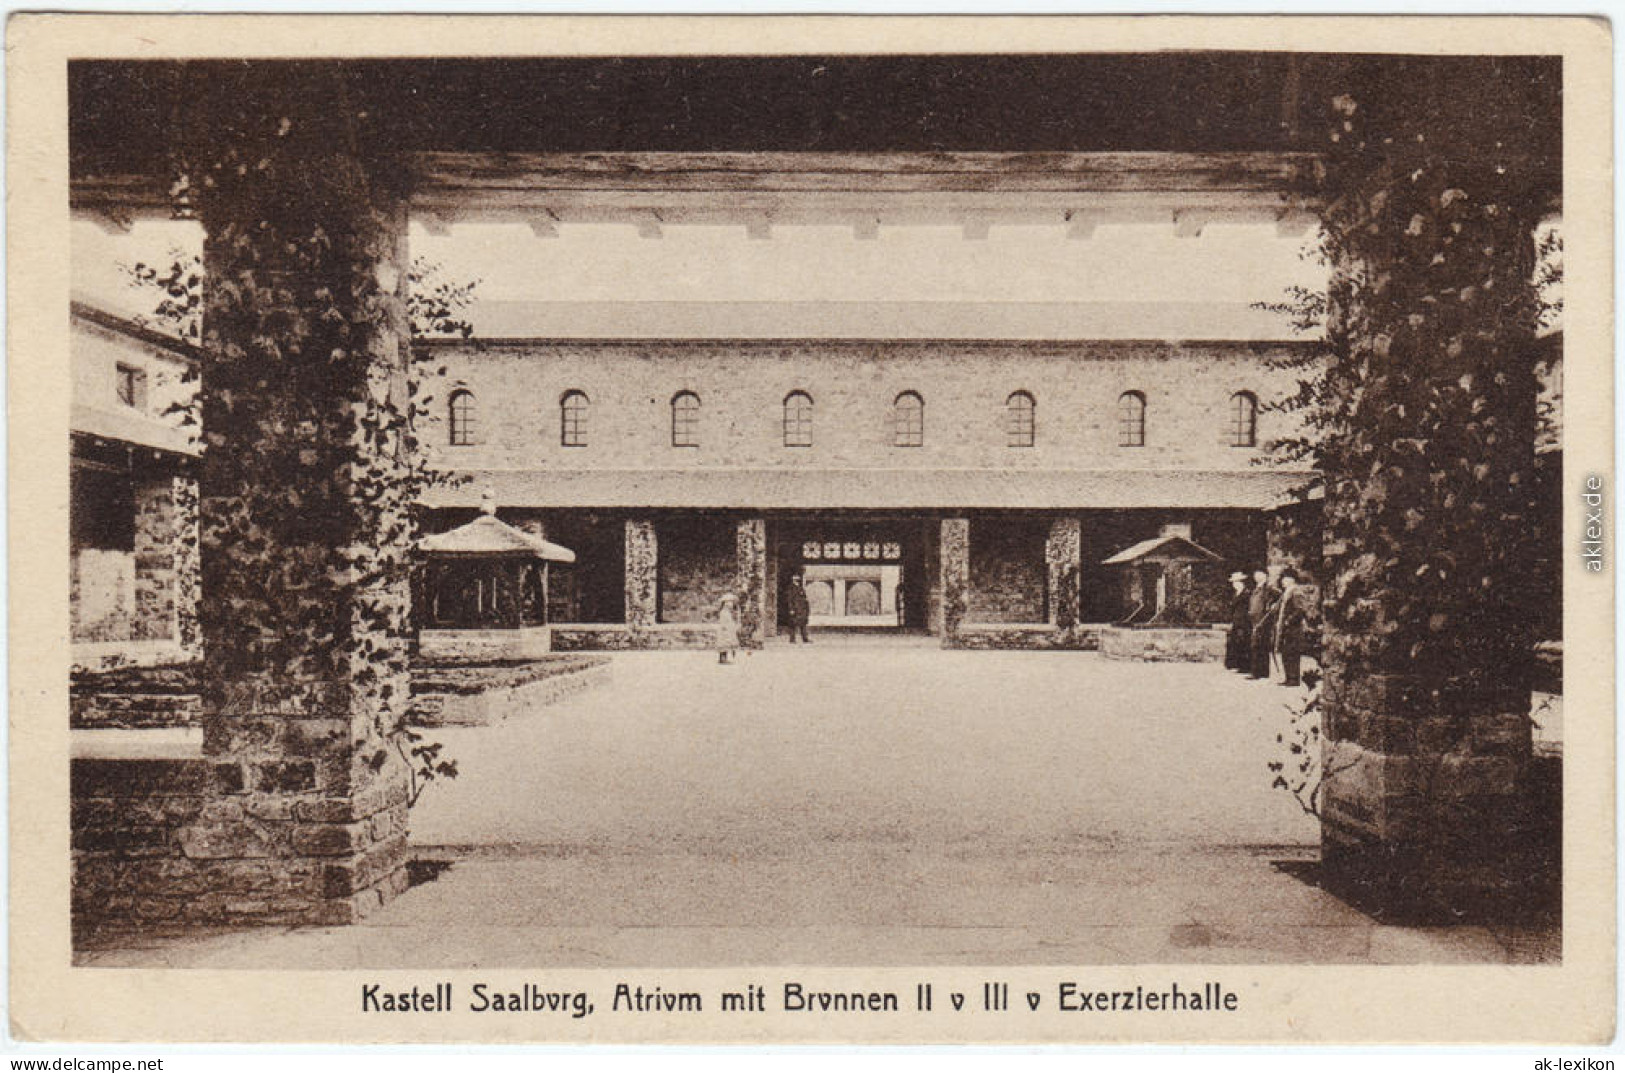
point(305, 498)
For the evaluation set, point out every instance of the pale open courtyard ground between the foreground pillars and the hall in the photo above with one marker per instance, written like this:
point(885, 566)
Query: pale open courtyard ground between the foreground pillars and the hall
point(864, 802)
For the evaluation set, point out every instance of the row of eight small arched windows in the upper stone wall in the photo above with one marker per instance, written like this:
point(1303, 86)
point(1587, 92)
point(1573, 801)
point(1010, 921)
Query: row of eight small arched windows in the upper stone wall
point(1021, 420)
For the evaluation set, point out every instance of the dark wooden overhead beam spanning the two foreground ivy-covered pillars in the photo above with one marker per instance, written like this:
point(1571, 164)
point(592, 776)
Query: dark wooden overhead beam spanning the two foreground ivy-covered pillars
point(459, 123)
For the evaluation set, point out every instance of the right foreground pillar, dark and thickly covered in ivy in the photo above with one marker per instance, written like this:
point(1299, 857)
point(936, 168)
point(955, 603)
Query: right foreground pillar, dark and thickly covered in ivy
point(1428, 458)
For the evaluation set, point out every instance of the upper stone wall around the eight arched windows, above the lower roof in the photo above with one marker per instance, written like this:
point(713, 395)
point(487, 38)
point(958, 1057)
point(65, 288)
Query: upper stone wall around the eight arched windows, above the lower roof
point(964, 384)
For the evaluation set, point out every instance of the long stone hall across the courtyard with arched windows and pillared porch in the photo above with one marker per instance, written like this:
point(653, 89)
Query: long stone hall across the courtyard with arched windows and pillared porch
point(963, 489)
